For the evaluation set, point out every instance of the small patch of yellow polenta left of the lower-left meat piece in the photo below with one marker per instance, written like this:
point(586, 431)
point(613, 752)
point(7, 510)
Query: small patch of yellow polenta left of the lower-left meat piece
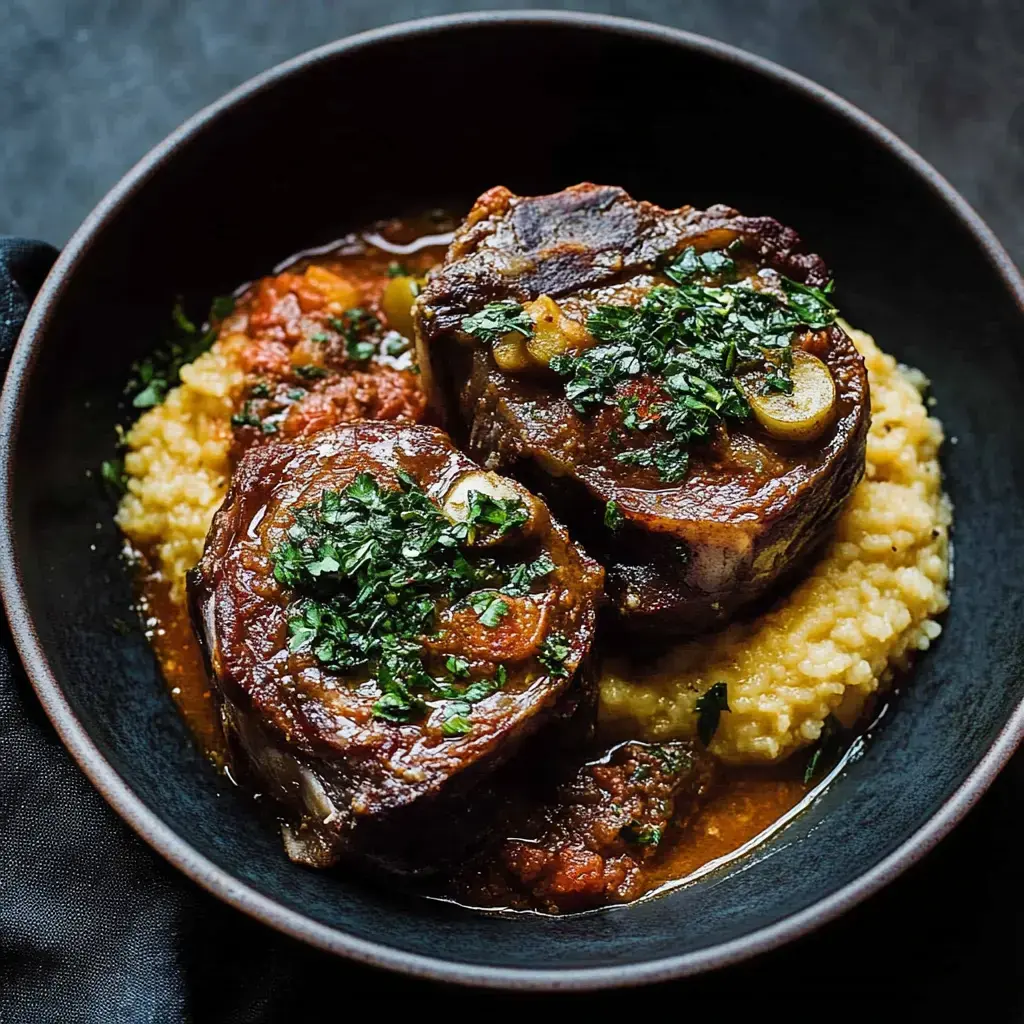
point(178, 465)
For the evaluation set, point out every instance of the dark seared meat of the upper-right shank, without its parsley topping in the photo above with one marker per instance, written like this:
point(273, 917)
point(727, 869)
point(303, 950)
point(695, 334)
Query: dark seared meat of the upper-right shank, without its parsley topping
point(688, 556)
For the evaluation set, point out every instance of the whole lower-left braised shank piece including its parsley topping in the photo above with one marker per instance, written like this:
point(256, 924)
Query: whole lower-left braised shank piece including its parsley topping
point(386, 624)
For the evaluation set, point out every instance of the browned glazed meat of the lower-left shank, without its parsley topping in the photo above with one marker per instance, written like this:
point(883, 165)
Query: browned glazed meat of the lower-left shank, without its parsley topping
point(354, 784)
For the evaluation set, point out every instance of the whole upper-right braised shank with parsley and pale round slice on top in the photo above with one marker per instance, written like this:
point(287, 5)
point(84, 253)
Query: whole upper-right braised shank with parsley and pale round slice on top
point(674, 381)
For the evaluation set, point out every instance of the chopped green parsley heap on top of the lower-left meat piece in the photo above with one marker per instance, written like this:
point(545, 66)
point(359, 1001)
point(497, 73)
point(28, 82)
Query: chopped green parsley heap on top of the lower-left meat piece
point(371, 571)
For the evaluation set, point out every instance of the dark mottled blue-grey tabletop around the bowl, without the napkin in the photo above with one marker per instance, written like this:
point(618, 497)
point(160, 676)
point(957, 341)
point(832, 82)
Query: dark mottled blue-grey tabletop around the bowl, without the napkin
point(88, 88)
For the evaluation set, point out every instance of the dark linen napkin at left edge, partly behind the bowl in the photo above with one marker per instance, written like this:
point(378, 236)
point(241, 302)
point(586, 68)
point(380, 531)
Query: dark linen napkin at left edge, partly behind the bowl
point(89, 916)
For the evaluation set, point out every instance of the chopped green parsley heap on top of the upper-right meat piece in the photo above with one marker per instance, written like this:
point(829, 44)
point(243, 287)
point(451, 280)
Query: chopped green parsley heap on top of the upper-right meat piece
point(693, 339)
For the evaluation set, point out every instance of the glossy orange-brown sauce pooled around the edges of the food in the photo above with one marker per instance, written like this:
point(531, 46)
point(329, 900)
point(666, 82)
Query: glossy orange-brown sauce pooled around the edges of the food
point(743, 803)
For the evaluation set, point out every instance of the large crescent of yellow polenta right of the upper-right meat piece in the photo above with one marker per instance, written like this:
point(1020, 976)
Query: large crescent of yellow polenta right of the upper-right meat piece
point(867, 606)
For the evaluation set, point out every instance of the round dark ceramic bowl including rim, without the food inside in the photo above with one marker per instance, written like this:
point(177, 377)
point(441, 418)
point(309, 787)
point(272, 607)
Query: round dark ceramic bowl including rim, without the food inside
point(536, 102)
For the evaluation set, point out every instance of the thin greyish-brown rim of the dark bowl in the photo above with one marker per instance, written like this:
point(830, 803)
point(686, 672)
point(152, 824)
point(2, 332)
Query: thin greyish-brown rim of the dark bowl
point(220, 882)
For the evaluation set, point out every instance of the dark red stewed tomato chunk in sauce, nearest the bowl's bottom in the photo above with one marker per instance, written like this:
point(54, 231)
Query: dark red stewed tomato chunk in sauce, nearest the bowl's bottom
point(588, 844)
